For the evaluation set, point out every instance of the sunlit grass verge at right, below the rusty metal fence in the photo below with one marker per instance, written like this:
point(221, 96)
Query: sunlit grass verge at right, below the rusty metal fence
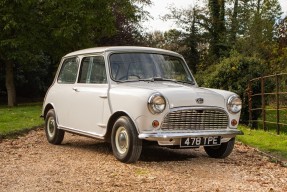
point(268, 142)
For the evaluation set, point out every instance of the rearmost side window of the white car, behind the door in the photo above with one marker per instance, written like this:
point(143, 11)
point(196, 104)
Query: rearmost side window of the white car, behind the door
point(68, 73)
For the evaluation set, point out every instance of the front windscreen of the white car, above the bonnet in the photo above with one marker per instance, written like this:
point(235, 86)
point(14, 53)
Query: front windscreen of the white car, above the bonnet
point(148, 66)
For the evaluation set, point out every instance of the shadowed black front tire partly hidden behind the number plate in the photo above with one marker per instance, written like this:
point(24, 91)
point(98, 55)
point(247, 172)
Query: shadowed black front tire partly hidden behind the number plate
point(220, 151)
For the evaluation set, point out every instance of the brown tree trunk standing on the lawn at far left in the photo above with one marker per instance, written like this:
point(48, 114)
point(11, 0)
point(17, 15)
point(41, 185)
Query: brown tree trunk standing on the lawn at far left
point(11, 91)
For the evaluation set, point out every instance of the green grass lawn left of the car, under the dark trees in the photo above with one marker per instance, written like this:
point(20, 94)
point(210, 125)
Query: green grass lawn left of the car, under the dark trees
point(20, 118)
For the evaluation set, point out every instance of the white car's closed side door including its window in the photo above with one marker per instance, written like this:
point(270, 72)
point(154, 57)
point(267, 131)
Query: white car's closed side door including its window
point(89, 97)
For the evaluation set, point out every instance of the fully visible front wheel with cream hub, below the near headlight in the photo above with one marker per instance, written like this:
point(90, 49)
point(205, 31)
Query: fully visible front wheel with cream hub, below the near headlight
point(126, 145)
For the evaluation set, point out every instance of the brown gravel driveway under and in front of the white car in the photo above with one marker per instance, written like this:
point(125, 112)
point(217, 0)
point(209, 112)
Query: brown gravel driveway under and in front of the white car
point(30, 163)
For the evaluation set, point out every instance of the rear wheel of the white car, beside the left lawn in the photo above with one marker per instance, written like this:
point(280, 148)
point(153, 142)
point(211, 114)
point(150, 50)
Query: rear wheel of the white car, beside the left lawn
point(53, 134)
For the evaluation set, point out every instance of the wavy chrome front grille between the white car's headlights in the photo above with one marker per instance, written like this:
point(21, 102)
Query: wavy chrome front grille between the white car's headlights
point(195, 119)
